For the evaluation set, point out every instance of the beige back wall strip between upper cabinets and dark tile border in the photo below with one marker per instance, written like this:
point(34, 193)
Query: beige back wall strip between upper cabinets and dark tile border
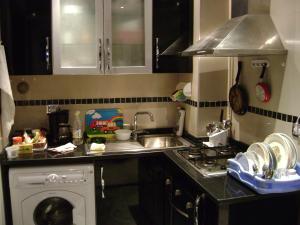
point(88, 86)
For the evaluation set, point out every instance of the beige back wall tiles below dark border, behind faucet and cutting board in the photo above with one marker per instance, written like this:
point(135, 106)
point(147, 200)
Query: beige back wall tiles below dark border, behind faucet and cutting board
point(165, 114)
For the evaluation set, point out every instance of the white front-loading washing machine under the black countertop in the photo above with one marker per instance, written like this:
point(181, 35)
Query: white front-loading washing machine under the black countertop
point(56, 195)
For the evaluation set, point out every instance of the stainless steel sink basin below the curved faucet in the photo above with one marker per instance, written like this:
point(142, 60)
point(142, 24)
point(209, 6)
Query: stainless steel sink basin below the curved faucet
point(159, 141)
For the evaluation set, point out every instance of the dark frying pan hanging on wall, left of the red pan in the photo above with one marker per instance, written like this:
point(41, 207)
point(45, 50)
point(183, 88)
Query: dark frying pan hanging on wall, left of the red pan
point(238, 97)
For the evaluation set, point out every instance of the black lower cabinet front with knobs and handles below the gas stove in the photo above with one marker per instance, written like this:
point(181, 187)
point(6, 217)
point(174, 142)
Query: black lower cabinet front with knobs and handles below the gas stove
point(185, 203)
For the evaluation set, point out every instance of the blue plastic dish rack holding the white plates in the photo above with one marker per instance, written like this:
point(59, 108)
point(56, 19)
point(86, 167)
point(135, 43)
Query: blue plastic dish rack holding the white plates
point(260, 185)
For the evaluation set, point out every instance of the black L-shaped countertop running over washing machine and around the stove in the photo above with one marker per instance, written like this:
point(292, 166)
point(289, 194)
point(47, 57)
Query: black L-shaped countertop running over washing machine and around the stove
point(221, 189)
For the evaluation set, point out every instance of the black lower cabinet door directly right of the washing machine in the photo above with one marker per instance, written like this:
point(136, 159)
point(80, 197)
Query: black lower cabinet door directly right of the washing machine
point(117, 192)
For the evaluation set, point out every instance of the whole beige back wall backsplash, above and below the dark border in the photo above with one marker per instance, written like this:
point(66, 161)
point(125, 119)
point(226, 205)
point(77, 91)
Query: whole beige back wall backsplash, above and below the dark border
point(130, 93)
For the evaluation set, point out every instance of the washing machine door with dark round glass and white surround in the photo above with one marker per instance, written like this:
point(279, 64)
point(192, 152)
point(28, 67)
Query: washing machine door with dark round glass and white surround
point(54, 208)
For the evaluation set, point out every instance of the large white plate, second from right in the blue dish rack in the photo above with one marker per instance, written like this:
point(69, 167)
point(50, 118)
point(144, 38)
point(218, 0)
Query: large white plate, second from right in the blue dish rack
point(280, 148)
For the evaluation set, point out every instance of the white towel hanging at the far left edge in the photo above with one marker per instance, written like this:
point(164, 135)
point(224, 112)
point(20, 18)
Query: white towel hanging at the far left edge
point(7, 101)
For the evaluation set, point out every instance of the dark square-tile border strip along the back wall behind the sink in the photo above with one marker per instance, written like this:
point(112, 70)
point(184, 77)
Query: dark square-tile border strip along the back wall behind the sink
point(84, 101)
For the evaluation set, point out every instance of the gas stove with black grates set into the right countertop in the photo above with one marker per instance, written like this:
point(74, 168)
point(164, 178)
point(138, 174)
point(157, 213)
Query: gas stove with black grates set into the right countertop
point(209, 161)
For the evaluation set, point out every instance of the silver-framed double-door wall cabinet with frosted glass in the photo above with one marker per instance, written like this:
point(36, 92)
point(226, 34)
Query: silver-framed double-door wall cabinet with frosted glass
point(102, 37)
